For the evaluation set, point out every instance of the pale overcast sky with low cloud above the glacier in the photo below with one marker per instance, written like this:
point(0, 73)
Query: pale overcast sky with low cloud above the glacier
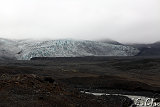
point(121, 20)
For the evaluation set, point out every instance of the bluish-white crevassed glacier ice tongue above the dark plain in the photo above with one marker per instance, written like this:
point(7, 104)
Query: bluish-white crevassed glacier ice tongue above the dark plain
point(67, 48)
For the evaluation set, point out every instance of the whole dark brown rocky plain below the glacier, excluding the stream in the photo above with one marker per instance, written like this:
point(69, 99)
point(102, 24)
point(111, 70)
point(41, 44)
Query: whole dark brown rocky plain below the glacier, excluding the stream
point(56, 81)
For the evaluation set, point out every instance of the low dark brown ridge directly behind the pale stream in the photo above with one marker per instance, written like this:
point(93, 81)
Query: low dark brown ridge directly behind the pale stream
point(109, 82)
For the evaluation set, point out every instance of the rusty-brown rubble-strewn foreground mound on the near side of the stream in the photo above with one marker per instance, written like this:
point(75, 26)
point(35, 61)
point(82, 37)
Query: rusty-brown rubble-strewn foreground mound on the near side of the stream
point(30, 90)
